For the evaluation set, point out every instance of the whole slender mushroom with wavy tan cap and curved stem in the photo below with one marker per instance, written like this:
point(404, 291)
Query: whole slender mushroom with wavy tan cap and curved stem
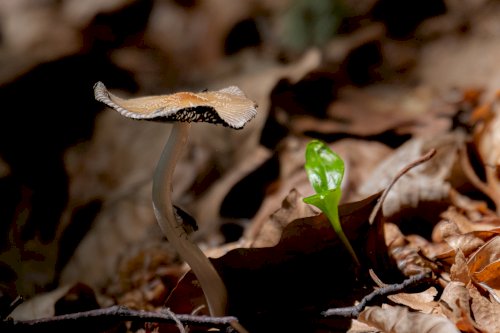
point(229, 107)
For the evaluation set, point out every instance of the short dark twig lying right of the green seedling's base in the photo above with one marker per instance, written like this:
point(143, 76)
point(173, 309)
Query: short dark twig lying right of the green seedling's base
point(354, 311)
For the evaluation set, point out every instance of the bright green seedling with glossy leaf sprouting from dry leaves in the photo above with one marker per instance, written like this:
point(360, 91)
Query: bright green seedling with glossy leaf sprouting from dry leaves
point(325, 170)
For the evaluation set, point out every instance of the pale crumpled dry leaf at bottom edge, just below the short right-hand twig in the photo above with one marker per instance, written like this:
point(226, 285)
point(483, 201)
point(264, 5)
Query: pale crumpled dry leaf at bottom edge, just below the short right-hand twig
point(396, 319)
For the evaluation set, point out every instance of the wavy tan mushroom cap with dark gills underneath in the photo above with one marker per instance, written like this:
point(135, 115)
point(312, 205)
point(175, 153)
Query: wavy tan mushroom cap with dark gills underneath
point(229, 106)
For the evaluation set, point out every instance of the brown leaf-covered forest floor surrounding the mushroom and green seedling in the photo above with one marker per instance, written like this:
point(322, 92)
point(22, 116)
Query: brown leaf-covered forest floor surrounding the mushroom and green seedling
point(413, 110)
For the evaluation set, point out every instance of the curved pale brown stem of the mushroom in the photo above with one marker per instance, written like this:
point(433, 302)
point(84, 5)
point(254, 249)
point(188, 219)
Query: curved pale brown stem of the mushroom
point(210, 281)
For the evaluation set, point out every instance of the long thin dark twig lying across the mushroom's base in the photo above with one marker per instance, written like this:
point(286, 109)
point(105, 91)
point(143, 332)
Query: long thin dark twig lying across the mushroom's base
point(117, 313)
